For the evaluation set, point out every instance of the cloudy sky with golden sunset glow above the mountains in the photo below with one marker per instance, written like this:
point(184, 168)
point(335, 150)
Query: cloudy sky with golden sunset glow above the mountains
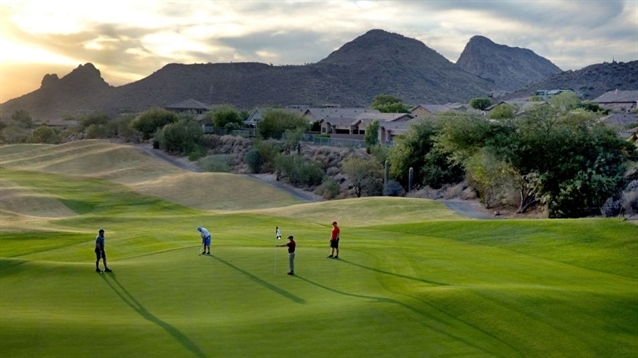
point(128, 40)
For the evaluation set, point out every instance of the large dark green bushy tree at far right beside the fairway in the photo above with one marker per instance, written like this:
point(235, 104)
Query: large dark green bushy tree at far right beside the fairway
point(577, 163)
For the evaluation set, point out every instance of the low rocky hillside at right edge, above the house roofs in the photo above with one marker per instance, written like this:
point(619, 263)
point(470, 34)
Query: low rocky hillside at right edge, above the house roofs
point(590, 82)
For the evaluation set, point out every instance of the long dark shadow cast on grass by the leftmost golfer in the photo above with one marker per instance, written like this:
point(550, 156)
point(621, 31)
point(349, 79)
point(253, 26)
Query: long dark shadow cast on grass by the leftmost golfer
point(126, 296)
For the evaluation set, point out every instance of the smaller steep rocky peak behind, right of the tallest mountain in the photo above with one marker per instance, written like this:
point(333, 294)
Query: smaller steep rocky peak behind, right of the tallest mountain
point(510, 68)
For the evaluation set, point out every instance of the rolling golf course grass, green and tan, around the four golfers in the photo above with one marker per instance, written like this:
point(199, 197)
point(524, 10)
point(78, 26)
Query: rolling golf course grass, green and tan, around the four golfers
point(413, 279)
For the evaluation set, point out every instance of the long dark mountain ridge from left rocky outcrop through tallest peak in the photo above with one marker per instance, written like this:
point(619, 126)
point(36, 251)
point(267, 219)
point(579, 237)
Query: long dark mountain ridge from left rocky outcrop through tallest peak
point(376, 62)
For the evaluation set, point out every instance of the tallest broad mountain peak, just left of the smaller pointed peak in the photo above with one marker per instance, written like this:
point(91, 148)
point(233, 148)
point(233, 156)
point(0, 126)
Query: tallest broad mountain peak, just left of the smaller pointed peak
point(381, 62)
